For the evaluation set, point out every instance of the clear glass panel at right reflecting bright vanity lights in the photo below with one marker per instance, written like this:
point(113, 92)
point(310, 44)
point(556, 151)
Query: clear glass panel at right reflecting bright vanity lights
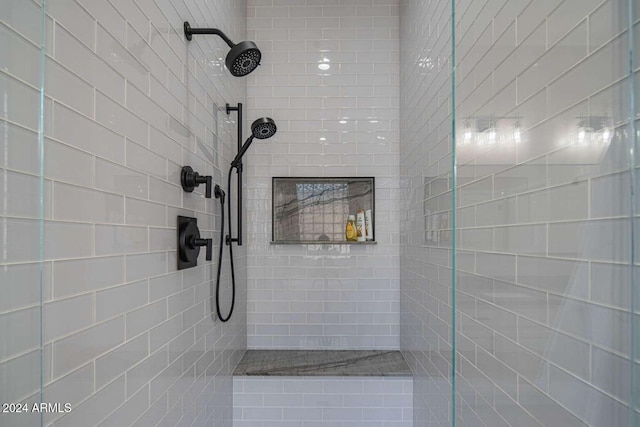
point(543, 227)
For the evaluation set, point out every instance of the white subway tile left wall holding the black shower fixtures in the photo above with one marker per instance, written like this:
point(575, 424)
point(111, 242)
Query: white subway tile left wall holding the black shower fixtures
point(128, 340)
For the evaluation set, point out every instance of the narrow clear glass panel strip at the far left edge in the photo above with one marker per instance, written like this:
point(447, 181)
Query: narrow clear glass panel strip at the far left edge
point(22, 198)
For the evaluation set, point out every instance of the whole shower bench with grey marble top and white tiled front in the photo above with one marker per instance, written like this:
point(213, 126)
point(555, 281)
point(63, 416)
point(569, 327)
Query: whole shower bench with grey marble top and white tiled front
point(322, 388)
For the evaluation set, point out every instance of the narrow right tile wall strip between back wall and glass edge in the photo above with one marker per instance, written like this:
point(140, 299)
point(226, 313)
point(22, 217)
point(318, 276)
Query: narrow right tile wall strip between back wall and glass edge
point(426, 269)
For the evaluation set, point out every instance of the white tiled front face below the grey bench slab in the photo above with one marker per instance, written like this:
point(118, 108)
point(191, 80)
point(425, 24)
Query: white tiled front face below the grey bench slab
point(326, 401)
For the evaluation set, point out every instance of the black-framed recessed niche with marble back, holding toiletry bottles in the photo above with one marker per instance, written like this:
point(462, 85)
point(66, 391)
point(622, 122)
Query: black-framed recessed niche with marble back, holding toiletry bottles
point(316, 210)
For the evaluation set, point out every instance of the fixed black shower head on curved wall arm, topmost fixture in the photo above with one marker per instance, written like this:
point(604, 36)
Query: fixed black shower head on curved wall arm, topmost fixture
point(243, 57)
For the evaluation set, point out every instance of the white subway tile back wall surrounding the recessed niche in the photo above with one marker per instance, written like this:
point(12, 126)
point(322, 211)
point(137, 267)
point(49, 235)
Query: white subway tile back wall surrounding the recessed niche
point(329, 78)
